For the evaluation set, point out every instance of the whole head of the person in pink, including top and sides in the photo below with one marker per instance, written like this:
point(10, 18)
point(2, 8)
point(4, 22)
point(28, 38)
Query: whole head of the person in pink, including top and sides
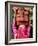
point(22, 15)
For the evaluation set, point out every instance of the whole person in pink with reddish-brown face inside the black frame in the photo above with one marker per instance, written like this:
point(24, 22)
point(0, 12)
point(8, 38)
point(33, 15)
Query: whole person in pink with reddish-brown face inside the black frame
point(21, 22)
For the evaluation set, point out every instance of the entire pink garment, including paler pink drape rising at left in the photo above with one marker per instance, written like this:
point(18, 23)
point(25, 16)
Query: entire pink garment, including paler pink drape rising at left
point(20, 33)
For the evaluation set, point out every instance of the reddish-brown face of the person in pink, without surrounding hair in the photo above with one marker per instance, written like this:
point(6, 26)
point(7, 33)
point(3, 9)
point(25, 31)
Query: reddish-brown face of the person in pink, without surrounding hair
point(22, 17)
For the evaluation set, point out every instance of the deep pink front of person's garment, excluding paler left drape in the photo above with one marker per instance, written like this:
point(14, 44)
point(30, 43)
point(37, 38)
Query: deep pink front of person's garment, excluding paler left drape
point(22, 33)
